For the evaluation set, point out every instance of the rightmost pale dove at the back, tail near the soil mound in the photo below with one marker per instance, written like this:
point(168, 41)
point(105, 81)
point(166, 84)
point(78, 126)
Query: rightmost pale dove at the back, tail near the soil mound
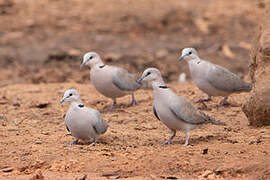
point(212, 79)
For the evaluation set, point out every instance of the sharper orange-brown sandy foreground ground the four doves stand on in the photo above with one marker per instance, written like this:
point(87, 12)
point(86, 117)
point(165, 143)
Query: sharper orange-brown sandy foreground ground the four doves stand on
point(33, 139)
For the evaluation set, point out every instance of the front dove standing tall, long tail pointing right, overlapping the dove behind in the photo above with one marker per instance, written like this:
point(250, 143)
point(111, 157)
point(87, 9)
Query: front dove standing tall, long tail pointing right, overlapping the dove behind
point(174, 111)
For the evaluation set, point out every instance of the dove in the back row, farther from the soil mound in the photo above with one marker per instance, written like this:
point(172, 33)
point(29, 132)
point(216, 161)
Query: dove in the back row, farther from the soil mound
point(111, 81)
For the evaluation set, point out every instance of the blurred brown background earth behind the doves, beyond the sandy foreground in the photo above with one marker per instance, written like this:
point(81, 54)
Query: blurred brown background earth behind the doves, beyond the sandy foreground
point(137, 34)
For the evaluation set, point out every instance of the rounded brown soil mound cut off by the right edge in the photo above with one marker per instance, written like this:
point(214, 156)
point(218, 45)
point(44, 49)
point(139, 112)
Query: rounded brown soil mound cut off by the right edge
point(257, 107)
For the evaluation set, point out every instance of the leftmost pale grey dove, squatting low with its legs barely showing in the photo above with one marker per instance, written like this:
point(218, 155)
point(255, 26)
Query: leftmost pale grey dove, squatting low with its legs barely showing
point(82, 122)
